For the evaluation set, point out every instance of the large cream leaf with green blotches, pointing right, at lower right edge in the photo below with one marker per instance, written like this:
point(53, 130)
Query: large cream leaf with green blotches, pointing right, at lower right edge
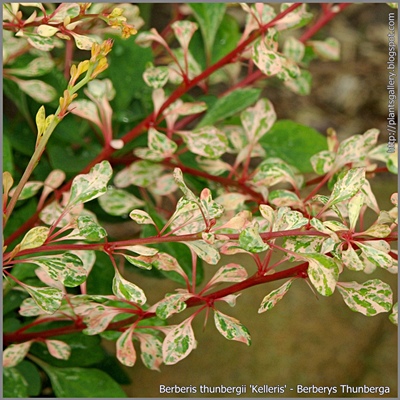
point(369, 298)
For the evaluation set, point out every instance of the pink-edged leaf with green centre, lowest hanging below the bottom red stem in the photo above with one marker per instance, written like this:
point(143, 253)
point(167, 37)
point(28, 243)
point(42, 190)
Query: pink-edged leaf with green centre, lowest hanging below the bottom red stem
point(179, 342)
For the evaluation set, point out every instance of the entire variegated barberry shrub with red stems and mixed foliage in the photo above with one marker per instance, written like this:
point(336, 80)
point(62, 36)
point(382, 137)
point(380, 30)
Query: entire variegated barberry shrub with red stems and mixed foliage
point(66, 276)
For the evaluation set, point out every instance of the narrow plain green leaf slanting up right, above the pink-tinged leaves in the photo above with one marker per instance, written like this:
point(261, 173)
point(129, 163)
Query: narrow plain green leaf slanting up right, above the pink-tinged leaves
point(230, 105)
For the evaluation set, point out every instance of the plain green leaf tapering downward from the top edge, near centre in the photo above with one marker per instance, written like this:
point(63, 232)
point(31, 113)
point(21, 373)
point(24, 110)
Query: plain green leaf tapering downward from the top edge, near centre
point(209, 16)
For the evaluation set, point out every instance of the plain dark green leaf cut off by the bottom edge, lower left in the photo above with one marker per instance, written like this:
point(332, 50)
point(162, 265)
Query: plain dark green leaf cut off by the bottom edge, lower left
point(82, 382)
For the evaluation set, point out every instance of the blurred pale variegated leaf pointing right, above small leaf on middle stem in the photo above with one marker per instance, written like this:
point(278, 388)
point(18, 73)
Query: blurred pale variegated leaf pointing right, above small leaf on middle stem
point(119, 202)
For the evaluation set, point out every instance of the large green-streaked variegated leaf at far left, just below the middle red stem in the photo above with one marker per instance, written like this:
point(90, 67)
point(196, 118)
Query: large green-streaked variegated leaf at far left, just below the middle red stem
point(66, 268)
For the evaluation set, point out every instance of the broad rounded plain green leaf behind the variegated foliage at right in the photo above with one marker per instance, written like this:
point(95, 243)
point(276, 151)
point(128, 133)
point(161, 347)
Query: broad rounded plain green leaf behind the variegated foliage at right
point(293, 143)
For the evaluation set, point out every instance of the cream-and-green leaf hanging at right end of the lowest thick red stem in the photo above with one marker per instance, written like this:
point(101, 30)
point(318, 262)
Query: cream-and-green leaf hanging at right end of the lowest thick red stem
point(323, 273)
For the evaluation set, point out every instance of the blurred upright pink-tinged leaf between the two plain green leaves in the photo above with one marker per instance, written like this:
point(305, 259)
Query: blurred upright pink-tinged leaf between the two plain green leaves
point(258, 120)
